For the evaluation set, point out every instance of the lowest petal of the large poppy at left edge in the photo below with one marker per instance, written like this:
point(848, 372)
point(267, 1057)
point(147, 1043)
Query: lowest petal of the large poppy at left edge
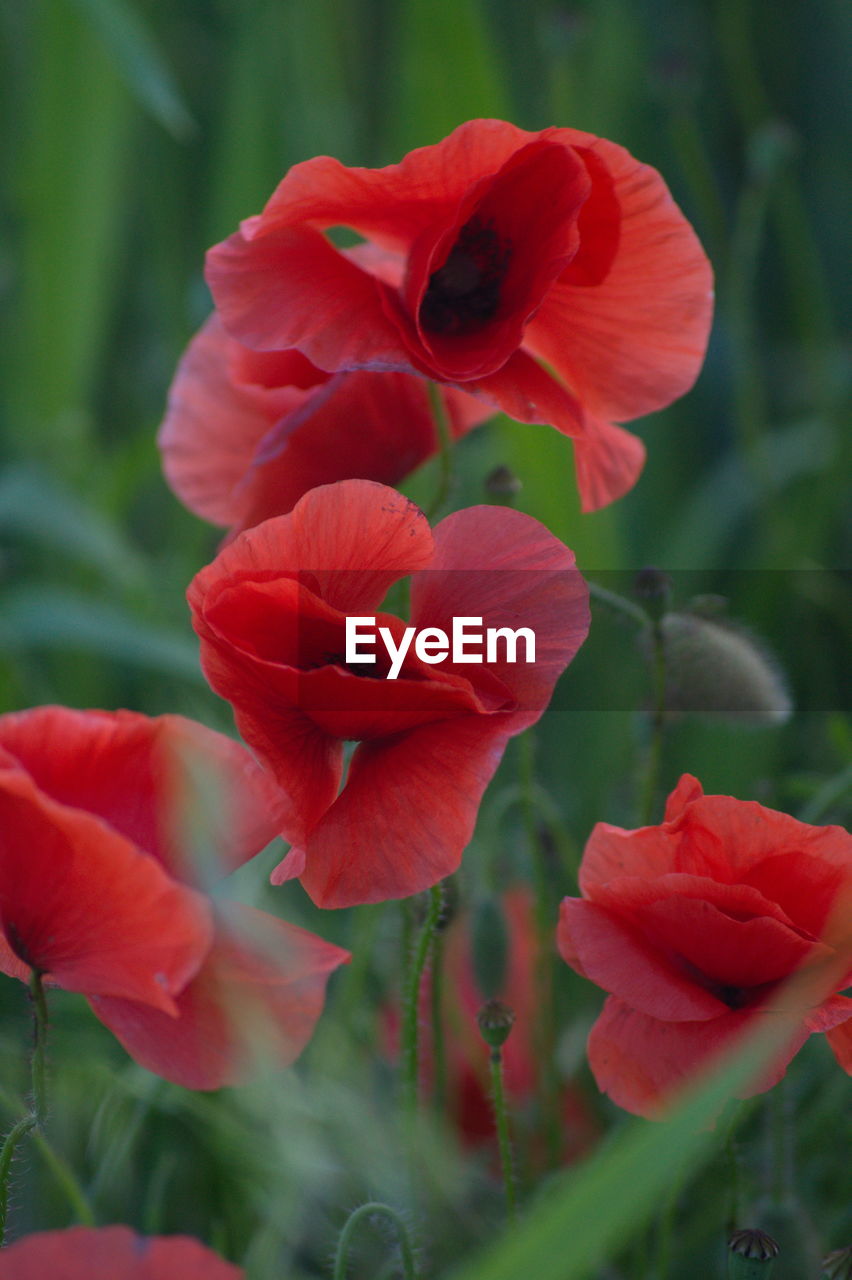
point(259, 995)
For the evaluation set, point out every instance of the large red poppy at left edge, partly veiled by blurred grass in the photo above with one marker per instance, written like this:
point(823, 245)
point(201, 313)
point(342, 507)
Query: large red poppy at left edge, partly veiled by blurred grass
point(99, 890)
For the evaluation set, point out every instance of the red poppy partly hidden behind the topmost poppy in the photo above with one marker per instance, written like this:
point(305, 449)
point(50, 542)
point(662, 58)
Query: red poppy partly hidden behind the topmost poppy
point(248, 433)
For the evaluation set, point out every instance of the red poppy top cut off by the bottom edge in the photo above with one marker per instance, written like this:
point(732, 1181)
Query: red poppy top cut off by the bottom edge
point(112, 1254)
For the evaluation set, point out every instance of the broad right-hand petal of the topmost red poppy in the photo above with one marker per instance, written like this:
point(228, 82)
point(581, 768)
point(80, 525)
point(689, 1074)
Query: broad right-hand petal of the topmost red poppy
point(636, 341)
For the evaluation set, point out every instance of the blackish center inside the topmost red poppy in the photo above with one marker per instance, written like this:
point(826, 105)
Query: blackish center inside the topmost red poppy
point(465, 294)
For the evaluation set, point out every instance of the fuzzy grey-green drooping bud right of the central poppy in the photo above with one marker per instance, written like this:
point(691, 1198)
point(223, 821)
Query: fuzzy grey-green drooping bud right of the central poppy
point(714, 668)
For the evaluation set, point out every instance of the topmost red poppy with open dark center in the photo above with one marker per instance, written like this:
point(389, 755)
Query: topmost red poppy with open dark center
point(549, 273)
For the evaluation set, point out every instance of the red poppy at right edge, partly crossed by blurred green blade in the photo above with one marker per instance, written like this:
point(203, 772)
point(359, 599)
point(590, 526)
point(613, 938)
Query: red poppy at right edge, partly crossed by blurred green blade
point(695, 926)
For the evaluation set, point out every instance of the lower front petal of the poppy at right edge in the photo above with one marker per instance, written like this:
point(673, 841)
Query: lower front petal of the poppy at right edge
point(642, 1063)
